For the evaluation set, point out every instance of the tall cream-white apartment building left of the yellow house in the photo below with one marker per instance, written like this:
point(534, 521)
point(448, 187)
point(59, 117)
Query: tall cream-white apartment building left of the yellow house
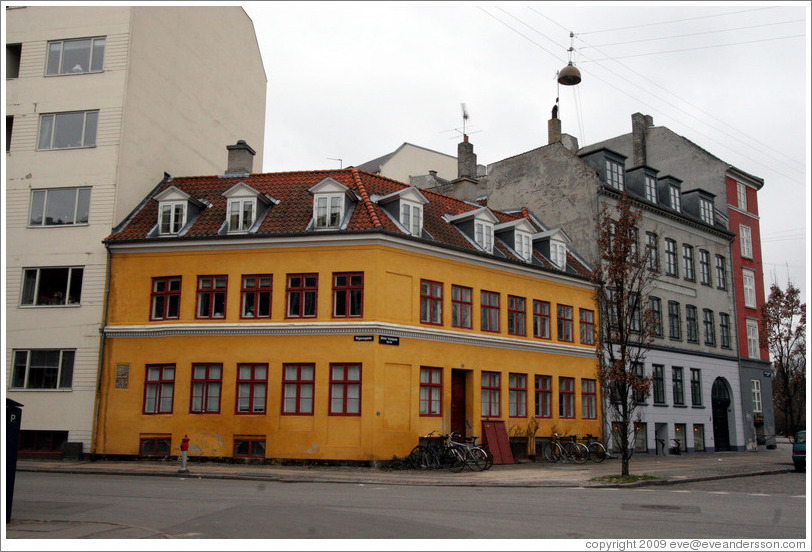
point(100, 103)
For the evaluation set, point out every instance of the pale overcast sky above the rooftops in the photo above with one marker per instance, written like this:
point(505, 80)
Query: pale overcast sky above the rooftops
point(353, 81)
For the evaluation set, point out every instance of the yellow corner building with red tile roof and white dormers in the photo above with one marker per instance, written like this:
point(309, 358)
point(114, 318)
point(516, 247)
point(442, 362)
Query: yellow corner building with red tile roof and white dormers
point(337, 315)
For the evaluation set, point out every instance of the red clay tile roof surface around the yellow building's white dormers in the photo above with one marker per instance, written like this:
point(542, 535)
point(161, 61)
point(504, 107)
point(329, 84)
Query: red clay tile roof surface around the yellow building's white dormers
point(294, 210)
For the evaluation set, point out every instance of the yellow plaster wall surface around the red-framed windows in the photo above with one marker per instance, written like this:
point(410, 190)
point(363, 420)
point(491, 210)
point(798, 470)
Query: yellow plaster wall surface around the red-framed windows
point(389, 423)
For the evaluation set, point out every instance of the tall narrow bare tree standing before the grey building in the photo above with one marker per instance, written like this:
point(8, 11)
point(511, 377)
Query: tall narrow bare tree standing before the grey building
point(624, 277)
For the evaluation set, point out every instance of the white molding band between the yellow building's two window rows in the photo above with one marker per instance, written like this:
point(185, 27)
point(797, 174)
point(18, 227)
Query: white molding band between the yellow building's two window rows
point(346, 328)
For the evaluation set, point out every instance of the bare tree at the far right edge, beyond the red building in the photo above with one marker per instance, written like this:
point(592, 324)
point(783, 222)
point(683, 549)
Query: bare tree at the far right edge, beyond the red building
point(783, 318)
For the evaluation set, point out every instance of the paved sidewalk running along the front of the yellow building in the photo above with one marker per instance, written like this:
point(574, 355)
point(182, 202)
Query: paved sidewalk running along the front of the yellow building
point(667, 469)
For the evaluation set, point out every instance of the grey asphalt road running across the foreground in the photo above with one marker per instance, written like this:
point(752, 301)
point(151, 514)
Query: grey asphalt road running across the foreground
point(118, 507)
